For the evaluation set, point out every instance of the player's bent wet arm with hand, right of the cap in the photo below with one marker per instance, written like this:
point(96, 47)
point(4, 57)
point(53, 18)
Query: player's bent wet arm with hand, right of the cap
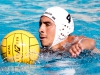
point(82, 43)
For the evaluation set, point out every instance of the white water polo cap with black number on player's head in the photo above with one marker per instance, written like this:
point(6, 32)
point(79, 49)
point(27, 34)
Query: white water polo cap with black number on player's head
point(63, 21)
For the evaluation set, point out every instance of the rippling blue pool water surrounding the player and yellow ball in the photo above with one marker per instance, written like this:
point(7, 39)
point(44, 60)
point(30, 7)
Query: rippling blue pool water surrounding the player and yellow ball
point(24, 14)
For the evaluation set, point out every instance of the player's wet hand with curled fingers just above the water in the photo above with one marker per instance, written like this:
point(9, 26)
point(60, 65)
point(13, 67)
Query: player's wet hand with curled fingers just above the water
point(75, 49)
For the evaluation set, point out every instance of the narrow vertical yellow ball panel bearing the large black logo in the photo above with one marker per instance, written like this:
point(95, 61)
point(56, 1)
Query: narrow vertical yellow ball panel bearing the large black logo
point(17, 47)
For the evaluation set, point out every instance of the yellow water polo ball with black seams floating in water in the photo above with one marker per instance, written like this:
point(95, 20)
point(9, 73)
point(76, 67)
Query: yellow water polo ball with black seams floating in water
point(20, 46)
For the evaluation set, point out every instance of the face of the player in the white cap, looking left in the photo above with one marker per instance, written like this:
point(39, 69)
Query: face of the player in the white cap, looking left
point(47, 31)
